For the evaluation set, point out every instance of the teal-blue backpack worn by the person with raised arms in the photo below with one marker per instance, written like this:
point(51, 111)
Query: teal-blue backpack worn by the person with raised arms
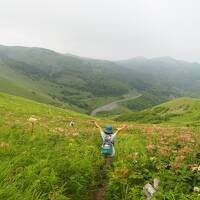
point(107, 147)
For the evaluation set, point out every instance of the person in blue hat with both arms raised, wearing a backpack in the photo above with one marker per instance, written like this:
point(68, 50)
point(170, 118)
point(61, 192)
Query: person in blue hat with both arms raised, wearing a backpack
point(108, 137)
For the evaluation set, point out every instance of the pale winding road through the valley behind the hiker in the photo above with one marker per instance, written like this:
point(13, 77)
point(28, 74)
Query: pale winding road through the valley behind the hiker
point(112, 105)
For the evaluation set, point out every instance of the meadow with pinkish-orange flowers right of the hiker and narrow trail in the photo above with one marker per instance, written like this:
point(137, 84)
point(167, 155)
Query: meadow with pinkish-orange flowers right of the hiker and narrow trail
point(165, 153)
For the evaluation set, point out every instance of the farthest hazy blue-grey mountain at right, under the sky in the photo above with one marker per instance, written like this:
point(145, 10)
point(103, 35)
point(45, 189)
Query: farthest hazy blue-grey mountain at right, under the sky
point(174, 73)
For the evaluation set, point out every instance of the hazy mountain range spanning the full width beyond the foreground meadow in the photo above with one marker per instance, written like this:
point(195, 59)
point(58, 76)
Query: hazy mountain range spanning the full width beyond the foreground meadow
point(83, 84)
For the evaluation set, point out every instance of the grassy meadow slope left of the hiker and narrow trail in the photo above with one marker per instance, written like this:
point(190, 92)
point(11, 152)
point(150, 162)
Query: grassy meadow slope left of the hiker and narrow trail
point(47, 163)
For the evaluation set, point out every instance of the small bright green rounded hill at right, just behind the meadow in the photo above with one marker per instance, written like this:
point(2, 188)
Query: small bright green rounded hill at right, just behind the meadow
point(184, 111)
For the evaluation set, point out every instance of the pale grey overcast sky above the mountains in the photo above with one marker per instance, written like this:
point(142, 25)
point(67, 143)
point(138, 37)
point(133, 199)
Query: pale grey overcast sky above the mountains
point(106, 29)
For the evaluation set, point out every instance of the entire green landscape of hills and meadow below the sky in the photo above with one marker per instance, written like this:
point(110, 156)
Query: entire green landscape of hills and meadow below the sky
point(44, 157)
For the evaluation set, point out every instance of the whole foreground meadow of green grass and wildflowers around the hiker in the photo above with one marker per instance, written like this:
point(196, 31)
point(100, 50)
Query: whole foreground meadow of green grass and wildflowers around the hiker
point(53, 163)
